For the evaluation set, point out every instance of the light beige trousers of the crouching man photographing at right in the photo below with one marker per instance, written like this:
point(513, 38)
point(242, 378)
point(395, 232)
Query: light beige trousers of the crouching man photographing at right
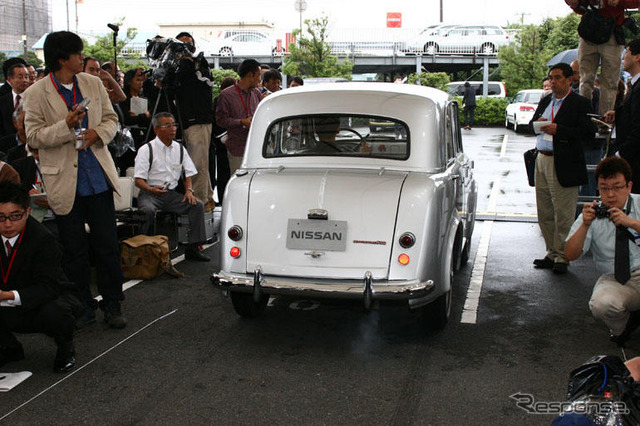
point(611, 301)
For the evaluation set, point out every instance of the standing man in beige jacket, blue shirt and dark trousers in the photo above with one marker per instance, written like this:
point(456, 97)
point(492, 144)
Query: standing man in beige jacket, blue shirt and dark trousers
point(78, 171)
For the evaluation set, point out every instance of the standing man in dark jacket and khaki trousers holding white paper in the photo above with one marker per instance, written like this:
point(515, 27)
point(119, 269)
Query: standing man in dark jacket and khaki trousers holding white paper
point(560, 165)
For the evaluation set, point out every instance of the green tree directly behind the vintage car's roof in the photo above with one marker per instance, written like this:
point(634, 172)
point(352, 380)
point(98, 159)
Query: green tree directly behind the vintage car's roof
point(312, 56)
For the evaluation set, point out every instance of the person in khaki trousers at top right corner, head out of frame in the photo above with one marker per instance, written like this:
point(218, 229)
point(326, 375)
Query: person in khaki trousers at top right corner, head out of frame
point(601, 42)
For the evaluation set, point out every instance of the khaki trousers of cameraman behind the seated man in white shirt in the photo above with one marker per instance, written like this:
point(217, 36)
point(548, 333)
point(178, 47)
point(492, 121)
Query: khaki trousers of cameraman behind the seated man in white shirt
point(197, 139)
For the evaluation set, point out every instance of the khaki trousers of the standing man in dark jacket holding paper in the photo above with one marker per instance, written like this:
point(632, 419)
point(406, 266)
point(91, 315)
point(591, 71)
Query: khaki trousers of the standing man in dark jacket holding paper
point(556, 207)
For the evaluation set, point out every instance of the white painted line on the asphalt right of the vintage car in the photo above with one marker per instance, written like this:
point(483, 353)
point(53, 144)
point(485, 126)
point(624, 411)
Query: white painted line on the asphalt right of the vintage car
point(470, 310)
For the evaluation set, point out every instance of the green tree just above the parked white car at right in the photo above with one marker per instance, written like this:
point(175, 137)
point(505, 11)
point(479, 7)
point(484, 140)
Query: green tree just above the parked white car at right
point(523, 62)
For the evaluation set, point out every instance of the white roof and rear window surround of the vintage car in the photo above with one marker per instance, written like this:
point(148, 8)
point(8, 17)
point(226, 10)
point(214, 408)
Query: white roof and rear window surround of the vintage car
point(421, 108)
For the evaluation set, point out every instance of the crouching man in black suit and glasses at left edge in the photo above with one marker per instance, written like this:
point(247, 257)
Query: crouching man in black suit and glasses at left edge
point(32, 295)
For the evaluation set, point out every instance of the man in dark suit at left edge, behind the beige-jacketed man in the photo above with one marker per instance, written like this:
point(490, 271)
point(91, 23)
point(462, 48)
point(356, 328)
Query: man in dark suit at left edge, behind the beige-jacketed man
point(18, 76)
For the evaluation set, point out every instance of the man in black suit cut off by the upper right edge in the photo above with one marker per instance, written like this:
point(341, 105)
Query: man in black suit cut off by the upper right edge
point(626, 116)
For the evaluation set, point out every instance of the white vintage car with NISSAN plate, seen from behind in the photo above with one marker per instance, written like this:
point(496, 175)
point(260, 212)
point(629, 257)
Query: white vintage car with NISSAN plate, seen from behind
point(322, 207)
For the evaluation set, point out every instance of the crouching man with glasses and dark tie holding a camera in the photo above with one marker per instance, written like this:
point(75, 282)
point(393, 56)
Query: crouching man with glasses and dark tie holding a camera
point(610, 229)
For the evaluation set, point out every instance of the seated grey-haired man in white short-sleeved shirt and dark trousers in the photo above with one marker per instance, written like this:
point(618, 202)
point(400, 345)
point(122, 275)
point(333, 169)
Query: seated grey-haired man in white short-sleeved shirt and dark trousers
point(158, 168)
